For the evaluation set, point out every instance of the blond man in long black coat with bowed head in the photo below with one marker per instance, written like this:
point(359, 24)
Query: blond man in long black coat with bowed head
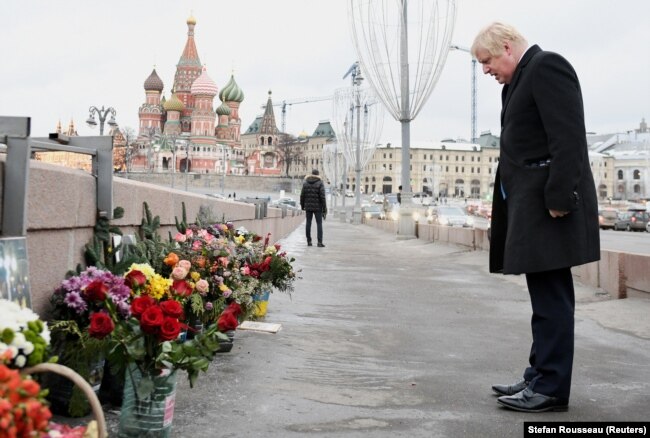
point(545, 210)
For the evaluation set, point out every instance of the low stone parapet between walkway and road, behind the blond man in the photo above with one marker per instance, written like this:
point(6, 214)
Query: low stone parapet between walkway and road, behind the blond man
point(618, 273)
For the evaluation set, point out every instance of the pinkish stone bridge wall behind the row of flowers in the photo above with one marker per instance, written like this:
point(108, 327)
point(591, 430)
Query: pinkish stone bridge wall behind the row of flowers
point(62, 211)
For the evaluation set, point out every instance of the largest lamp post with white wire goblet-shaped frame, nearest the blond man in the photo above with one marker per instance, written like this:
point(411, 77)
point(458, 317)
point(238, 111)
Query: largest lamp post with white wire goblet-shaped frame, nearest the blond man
point(403, 64)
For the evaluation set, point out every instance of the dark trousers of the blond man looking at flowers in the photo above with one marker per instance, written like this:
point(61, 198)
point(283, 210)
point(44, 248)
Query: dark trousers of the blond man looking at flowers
point(551, 354)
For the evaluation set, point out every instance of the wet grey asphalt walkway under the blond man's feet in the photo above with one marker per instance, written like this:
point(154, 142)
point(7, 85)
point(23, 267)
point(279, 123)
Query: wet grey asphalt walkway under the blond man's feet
point(388, 338)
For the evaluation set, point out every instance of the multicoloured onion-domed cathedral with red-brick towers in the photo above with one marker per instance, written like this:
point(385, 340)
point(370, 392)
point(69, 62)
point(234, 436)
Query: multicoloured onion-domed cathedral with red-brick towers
point(184, 133)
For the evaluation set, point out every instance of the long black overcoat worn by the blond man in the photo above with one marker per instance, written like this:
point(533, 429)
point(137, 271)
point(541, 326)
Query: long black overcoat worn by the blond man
point(543, 164)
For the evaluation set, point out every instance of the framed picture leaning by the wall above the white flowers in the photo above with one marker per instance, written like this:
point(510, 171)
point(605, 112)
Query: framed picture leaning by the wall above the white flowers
point(14, 271)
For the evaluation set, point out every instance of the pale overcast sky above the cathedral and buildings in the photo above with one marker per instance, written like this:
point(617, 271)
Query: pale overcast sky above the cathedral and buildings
point(61, 57)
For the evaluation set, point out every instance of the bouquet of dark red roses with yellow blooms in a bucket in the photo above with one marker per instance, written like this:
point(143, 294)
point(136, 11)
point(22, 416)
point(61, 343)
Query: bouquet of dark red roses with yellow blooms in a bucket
point(149, 337)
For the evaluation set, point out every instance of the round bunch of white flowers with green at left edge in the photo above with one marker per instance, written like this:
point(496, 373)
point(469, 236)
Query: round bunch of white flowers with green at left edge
point(24, 338)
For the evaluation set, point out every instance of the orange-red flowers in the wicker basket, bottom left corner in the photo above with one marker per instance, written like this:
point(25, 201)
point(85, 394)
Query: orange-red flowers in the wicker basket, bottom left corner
point(23, 411)
